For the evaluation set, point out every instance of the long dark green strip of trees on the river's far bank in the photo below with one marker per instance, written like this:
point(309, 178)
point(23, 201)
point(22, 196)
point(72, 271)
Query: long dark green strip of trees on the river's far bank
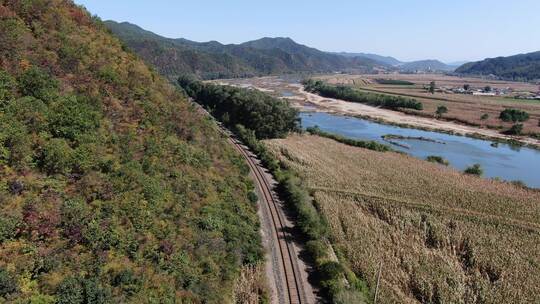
point(351, 94)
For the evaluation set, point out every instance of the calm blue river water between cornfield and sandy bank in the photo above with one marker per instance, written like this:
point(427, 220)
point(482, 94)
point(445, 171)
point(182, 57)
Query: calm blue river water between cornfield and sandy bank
point(505, 161)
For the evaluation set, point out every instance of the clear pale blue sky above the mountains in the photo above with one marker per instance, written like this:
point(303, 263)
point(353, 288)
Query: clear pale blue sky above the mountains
point(406, 29)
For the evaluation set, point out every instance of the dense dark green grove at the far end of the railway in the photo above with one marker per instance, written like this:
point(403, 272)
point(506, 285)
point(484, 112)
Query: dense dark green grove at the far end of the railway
point(267, 116)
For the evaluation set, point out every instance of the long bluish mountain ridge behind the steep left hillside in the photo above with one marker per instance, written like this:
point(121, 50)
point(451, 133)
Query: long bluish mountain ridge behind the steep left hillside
point(173, 57)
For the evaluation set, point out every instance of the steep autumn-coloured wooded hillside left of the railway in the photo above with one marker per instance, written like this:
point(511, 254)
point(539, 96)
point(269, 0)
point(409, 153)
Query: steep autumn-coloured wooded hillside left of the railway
point(113, 188)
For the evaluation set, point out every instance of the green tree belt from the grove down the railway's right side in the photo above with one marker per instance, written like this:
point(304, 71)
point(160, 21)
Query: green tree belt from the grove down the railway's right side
point(242, 110)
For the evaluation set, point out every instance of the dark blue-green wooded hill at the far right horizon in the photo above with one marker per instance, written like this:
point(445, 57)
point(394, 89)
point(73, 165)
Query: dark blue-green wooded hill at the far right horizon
point(518, 67)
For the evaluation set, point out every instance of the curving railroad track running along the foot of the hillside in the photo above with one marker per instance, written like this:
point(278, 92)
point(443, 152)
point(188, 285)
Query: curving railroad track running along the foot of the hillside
point(293, 284)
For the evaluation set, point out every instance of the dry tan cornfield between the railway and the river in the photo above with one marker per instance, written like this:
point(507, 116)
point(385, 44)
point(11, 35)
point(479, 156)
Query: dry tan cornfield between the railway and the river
point(441, 236)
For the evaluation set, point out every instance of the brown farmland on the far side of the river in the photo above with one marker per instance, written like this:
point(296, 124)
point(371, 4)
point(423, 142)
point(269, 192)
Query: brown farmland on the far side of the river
point(462, 108)
